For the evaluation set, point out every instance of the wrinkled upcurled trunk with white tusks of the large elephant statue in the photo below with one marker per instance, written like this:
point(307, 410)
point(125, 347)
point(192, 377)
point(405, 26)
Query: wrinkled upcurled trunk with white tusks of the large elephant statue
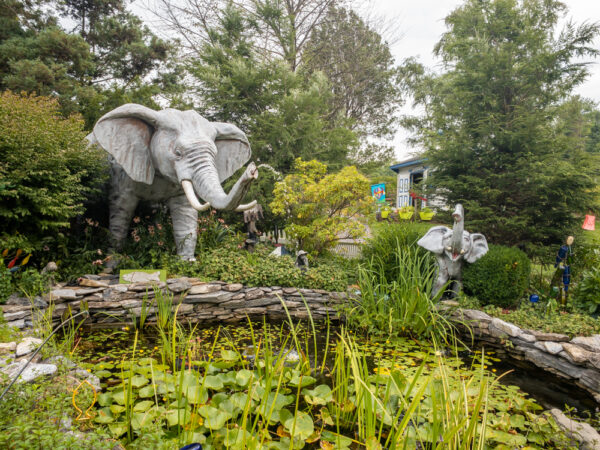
point(201, 174)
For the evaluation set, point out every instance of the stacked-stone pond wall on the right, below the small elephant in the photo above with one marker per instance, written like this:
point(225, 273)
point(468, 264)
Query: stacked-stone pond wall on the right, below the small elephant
point(576, 360)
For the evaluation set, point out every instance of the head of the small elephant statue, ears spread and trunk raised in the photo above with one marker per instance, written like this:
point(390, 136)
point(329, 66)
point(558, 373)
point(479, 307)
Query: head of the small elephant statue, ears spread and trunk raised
point(455, 243)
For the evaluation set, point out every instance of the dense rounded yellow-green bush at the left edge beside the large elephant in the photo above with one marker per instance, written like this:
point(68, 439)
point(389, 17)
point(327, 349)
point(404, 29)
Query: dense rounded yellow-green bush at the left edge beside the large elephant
point(47, 170)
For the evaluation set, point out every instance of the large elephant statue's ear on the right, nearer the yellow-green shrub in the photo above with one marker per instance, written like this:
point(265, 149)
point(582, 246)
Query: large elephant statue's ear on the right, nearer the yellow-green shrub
point(233, 149)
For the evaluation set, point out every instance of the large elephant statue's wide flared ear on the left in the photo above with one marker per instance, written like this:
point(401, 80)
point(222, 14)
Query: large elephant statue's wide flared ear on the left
point(125, 133)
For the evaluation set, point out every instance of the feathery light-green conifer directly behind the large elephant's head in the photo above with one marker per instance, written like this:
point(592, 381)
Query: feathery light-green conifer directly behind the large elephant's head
point(283, 113)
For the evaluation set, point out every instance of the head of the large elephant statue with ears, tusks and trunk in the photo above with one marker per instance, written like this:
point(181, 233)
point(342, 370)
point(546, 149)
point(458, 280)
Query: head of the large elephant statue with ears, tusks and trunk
point(183, 147)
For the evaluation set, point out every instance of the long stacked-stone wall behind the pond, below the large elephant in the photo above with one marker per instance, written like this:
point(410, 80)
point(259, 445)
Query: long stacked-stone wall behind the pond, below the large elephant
point(109, 302)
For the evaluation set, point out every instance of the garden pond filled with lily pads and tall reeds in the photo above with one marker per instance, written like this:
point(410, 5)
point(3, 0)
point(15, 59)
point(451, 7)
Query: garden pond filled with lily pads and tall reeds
point(278, 386)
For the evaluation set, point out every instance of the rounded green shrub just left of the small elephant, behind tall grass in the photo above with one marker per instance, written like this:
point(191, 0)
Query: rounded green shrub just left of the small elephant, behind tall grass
point(388, 243)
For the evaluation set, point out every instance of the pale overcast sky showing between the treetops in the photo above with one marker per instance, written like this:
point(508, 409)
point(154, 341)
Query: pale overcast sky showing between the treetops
point(421, 24)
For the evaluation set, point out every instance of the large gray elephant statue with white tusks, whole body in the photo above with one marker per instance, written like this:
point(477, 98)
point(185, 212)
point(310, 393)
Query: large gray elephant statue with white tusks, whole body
point(171, 156)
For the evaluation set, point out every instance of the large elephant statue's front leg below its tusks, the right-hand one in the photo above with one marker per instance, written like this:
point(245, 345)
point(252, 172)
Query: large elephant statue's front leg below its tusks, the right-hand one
point(185, 226)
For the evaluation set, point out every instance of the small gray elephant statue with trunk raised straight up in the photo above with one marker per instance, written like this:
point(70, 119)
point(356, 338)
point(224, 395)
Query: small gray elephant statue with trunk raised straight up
point(451, 247)
